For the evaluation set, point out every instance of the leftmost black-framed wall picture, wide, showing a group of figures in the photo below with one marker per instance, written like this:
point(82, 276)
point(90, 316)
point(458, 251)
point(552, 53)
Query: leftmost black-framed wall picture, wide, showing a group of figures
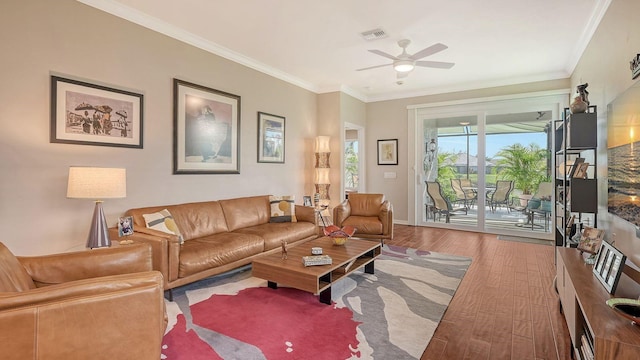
point(90, 114)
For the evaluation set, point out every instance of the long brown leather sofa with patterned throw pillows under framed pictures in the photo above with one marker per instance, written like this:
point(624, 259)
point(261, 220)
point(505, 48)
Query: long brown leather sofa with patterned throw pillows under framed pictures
point(218, 236)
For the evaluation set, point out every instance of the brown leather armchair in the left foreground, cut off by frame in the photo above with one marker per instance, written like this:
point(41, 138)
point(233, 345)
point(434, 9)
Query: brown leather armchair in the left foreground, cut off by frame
point(98, 304)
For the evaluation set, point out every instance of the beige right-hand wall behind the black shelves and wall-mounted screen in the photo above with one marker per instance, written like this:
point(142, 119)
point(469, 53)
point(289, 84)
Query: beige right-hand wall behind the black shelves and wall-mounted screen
point(605, 66)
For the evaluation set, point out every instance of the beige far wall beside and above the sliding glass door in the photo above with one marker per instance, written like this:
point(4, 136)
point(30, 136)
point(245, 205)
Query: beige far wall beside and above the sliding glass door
point(389, 120)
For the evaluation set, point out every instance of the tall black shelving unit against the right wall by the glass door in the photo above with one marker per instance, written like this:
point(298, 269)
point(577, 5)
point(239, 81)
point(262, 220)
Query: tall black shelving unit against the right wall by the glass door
point(576, 136)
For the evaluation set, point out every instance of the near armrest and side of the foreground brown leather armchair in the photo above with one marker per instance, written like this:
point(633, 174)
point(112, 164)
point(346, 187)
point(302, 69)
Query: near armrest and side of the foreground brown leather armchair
point(84, 319)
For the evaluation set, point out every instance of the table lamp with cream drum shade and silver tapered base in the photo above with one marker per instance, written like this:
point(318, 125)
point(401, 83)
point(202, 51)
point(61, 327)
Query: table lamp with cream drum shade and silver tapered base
point(97, 184)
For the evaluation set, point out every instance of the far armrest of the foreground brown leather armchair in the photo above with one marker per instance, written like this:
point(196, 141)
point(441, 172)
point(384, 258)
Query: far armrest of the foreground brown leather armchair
point(65, 267)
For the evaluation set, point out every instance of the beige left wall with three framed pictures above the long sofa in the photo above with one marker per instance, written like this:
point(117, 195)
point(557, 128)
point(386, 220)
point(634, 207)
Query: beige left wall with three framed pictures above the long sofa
point(38, 37)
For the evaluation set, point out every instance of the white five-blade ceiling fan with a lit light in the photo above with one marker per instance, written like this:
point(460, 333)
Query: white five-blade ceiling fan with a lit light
point(405, 63)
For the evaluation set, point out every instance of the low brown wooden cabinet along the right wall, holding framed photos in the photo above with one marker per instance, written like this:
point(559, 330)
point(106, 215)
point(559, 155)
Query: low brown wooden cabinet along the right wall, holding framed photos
point(591, 322)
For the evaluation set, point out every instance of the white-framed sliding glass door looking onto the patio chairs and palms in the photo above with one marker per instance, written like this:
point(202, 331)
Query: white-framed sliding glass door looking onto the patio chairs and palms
point(486, 169)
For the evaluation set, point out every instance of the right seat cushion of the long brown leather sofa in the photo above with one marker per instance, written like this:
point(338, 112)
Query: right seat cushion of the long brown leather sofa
point(273, 233)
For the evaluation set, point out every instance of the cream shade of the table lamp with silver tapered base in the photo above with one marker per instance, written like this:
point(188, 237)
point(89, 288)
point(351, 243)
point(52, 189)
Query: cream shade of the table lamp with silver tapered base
point(96, 183)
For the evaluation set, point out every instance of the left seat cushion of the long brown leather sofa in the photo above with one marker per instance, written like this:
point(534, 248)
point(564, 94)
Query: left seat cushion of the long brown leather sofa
point(211, 251)
